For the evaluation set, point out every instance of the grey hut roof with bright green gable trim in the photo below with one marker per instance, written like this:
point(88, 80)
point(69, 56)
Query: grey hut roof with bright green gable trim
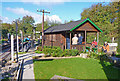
point(69, 26)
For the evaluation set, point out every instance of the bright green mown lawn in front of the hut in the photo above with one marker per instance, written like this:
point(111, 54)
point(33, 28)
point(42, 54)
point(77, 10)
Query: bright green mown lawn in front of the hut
point(77, 68)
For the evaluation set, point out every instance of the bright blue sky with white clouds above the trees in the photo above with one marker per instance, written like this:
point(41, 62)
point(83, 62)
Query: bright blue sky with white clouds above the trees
point(59, 11)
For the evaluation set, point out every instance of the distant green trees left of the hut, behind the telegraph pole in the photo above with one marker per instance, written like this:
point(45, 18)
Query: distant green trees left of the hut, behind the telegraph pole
point(26, 25)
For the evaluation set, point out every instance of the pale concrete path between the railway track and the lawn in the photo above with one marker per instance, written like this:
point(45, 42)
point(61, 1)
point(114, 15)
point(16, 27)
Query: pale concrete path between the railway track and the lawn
point(28, 72)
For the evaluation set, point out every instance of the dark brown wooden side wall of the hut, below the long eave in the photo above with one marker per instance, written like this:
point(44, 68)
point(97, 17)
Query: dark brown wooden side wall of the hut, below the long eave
point(57, 39)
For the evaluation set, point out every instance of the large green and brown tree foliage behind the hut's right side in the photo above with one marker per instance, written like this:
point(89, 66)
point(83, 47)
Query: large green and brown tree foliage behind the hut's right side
point(106, 18)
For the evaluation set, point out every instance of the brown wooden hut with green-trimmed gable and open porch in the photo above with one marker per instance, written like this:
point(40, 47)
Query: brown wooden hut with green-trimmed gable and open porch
point(56, 35)
